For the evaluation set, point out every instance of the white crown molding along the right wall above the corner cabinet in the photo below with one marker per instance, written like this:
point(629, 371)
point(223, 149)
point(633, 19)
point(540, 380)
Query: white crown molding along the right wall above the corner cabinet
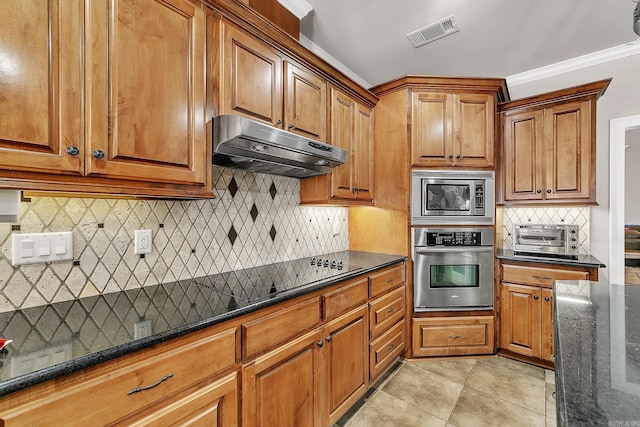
point(573, 64)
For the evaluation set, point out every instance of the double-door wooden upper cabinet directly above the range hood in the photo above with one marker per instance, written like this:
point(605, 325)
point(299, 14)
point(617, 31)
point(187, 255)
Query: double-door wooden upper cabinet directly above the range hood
point(257, 81)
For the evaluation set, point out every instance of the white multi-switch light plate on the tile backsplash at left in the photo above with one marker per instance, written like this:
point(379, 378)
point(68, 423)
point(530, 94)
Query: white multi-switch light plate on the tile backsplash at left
point(32, 248)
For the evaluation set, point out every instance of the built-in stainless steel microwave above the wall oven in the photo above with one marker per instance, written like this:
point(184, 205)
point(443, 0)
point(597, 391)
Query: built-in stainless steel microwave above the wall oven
point(452, 197)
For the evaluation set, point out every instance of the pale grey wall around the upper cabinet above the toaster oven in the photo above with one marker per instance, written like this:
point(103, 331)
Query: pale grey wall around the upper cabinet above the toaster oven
point(621, 99)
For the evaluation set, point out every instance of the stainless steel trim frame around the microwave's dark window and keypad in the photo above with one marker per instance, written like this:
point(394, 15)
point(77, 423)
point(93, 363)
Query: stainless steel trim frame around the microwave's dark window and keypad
point(422, 216)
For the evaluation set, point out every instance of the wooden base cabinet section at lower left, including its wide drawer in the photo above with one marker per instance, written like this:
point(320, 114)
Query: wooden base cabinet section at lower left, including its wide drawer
point(170, 381)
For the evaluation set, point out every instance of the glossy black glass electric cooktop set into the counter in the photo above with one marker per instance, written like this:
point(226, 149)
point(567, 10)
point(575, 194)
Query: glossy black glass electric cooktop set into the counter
point(259, 283)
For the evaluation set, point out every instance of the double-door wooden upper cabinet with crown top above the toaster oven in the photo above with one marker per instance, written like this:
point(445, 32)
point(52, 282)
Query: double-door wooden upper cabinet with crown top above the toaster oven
point(548, 147)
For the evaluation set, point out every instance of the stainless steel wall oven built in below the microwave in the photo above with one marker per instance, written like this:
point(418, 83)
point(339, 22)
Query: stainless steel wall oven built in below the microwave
point(453, 269)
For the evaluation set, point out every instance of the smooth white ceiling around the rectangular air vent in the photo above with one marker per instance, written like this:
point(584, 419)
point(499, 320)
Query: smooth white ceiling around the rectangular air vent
point(497, 38)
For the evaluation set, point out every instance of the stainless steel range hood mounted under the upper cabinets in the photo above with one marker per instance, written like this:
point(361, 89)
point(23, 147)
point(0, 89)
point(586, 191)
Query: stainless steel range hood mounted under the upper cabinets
point(242, 143)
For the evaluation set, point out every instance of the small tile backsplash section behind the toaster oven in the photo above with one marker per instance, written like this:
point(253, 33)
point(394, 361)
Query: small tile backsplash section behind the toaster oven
point(579, 216)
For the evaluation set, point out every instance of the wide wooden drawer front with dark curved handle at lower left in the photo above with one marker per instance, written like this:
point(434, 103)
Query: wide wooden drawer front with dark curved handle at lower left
point(106, 394)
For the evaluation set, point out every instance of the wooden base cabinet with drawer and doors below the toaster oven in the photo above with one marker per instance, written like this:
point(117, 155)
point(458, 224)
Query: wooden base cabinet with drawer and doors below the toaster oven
point(526, 307)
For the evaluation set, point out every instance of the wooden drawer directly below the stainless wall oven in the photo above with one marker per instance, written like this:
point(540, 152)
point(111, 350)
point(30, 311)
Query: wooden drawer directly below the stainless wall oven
point(446, 336)
